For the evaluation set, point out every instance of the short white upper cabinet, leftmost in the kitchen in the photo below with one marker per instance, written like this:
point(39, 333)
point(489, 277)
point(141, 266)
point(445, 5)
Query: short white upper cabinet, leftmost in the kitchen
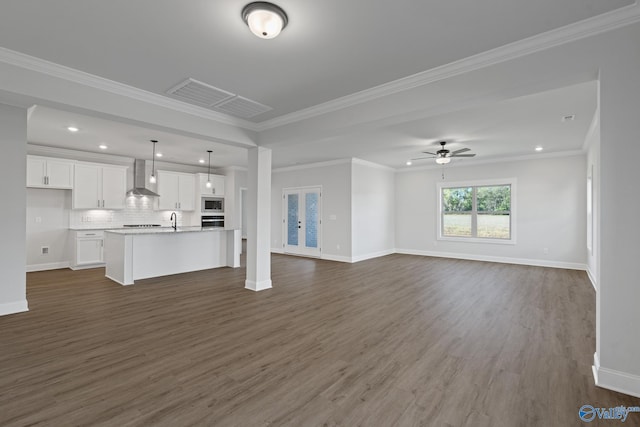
point(46, 172)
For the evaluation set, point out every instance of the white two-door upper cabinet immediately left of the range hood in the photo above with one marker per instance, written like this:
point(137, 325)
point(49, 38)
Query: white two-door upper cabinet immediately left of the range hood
point(99, 186)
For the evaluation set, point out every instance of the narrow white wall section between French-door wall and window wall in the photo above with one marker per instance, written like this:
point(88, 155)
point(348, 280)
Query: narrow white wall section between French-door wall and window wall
point(372, 210)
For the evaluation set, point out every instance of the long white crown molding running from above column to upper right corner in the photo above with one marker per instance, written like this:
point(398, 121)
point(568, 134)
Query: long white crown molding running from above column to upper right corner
point(589, 27)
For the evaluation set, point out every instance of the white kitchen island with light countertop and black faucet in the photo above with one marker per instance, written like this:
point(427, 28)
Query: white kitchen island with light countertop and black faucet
point(143, 253)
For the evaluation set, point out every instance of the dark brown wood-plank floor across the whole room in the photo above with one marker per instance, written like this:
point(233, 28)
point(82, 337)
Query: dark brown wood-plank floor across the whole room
point(394, 341)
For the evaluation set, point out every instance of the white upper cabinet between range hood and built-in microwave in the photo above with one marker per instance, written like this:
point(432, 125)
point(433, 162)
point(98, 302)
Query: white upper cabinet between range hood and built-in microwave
point(176, 190)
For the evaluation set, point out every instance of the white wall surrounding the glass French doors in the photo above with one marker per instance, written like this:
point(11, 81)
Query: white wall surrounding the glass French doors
point(335, 179)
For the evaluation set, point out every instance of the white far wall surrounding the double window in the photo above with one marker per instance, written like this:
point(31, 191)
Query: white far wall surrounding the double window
point(550, 213)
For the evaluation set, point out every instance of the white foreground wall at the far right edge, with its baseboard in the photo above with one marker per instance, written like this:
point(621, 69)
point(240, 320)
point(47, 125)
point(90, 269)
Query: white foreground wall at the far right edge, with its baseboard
point(618, 349)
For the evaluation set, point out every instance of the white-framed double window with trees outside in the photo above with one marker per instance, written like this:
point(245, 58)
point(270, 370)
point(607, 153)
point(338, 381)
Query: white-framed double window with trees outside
point(479, 211)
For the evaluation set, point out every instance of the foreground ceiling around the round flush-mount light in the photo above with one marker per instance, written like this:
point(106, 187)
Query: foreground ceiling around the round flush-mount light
point(330, 48)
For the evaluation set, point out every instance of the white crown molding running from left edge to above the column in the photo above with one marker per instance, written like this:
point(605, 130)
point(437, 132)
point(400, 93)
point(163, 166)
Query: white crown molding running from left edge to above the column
point(52, 69)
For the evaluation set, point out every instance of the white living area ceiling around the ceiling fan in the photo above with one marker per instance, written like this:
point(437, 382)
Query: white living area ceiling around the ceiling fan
point(499, 130)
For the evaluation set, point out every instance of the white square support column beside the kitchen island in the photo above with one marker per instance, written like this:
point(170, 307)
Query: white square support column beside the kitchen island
point(259, 220)
